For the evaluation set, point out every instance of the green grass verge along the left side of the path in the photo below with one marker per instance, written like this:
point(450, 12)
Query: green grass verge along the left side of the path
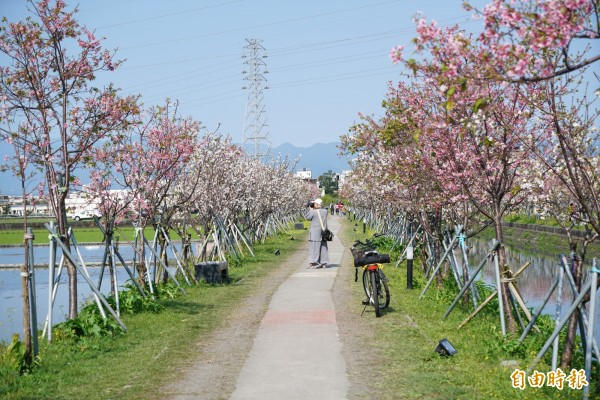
point(135, 365)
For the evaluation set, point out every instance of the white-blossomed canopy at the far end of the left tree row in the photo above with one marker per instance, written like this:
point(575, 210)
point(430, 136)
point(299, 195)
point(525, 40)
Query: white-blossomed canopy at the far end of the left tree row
point(235, 189)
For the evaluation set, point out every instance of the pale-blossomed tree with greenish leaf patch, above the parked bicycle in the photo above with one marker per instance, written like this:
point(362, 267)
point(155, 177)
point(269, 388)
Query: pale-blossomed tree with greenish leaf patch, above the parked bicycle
point(393, 175)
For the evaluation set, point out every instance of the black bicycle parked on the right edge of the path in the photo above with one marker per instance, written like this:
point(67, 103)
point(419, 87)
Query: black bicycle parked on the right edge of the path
point(374, 280)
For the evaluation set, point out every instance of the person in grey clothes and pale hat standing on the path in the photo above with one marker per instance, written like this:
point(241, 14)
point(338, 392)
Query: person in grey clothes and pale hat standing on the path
point(318, 253)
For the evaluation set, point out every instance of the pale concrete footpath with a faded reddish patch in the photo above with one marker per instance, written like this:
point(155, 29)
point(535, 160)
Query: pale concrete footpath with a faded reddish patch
point(297, 352)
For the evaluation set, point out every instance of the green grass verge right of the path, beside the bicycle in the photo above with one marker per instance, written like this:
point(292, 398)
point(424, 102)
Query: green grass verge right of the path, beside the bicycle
point(408, 333)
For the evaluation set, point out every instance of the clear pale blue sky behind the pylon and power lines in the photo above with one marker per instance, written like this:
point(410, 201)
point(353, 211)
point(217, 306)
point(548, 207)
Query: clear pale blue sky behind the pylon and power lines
point(327, 60)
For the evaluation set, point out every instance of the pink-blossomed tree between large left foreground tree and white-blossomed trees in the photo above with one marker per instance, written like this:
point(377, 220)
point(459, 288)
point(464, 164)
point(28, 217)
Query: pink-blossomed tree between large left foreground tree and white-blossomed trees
point(152, 154)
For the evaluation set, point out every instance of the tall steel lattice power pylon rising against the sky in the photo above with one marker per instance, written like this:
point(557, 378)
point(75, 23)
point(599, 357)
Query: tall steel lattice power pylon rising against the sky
point(256, 129)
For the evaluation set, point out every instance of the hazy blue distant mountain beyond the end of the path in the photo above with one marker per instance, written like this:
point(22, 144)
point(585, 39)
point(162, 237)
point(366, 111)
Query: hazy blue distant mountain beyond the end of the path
point(318, 158)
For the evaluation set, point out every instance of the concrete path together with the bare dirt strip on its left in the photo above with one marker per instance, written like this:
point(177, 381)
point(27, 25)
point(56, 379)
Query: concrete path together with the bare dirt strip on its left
point(282, 343)
